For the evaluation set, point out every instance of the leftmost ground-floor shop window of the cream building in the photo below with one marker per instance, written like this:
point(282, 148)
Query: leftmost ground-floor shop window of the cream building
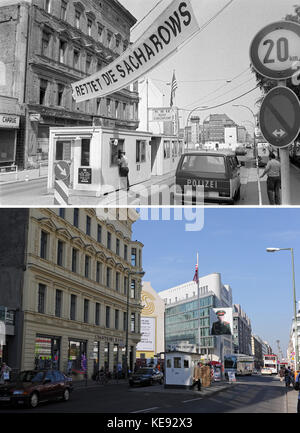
point(47, 352)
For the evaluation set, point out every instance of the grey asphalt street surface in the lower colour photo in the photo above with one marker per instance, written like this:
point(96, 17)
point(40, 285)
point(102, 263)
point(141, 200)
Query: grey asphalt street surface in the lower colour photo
point(256, 394)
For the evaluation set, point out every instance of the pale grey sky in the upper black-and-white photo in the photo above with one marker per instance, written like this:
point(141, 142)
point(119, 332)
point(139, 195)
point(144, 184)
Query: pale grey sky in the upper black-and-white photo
point(218, 53)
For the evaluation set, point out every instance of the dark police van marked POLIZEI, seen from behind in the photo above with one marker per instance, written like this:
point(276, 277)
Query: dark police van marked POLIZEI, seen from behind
point(211, 176)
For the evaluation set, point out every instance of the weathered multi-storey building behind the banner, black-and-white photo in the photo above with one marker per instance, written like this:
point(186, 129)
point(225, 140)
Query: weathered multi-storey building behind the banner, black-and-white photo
point(54, 43)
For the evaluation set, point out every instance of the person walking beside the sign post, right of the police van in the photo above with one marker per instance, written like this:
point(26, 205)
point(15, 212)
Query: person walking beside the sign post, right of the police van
point(273, 172)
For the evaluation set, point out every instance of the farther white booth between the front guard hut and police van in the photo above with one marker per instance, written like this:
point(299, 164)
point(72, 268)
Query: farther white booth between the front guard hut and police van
point(165, 153)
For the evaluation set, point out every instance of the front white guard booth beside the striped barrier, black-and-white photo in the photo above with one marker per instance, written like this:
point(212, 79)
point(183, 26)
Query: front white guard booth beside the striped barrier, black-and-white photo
point(91, 154)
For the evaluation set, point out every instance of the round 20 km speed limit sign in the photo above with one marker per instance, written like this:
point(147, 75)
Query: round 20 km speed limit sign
point(275, 50)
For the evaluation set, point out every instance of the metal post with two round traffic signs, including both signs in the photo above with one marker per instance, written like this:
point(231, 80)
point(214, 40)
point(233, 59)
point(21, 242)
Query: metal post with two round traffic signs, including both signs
point(273, 53)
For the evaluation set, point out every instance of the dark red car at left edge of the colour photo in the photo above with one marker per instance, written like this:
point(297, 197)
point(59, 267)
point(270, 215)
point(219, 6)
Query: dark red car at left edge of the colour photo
point(33, 386)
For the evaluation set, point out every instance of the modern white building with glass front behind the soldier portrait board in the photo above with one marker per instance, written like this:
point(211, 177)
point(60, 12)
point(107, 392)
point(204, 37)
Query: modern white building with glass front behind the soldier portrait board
point(187, 315)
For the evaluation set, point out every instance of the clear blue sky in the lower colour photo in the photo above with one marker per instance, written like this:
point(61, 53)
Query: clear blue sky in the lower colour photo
point(232, 242)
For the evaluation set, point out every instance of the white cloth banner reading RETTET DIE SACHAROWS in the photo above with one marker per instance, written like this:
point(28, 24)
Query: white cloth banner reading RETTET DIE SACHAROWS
point(174, 26)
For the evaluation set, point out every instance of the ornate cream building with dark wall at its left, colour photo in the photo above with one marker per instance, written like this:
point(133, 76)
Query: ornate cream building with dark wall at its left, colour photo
point(67, 284)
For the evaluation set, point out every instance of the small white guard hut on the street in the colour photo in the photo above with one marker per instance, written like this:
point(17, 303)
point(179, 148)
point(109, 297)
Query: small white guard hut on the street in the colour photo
point(179, 369)
